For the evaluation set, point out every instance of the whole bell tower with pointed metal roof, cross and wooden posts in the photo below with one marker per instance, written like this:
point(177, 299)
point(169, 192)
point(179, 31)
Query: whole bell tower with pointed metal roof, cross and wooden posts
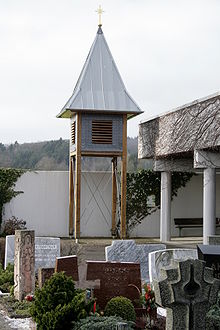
point(98, 111)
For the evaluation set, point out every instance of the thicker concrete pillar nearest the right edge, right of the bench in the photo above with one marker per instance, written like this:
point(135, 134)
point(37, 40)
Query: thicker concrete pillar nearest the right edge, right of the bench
point(209, 203)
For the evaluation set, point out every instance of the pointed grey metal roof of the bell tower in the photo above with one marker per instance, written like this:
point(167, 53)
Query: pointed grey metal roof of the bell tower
point(100, 87)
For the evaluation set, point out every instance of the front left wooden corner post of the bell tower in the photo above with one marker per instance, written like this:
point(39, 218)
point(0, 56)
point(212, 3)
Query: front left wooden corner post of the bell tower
point(78, 177)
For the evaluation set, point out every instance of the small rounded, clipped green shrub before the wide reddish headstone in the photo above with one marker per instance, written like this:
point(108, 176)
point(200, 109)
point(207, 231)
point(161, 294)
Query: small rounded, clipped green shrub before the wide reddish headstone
point(121, 306)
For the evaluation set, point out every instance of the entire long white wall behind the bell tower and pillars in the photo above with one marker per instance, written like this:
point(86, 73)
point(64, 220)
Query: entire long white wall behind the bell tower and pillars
point(44, 205)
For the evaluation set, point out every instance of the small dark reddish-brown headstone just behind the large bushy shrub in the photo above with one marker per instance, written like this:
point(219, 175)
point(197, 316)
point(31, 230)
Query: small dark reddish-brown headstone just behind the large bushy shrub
point(68, 265)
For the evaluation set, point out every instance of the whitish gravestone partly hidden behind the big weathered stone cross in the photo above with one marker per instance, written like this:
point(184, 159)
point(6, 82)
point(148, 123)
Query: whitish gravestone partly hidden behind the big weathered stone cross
point(164, 258)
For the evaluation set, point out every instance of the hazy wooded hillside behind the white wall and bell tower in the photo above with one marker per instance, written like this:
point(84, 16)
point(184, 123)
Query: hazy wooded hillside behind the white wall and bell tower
point(54, 155)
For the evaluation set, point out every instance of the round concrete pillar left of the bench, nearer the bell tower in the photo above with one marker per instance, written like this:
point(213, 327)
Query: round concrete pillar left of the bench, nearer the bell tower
point(165, 207)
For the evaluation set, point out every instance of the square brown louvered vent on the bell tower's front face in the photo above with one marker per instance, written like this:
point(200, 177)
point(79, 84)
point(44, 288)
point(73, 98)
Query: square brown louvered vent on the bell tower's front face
point(102, 131)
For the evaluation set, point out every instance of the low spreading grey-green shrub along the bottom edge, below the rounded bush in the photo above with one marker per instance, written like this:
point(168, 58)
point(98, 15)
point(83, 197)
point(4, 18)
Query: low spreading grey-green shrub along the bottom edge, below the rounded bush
point(100, 323)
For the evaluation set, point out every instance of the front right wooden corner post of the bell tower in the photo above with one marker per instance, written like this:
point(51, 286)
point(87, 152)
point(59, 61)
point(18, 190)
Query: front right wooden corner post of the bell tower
point(124, 177)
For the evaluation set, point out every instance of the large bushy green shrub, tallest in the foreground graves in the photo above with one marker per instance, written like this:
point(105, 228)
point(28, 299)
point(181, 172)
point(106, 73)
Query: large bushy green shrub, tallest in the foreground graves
point(57, 304)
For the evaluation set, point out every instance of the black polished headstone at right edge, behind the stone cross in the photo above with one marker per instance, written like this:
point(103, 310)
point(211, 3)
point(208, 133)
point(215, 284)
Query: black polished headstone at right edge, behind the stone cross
point(211, 255)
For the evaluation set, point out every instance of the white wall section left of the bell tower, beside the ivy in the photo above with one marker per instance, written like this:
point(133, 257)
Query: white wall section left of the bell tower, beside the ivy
point(44, 203)
